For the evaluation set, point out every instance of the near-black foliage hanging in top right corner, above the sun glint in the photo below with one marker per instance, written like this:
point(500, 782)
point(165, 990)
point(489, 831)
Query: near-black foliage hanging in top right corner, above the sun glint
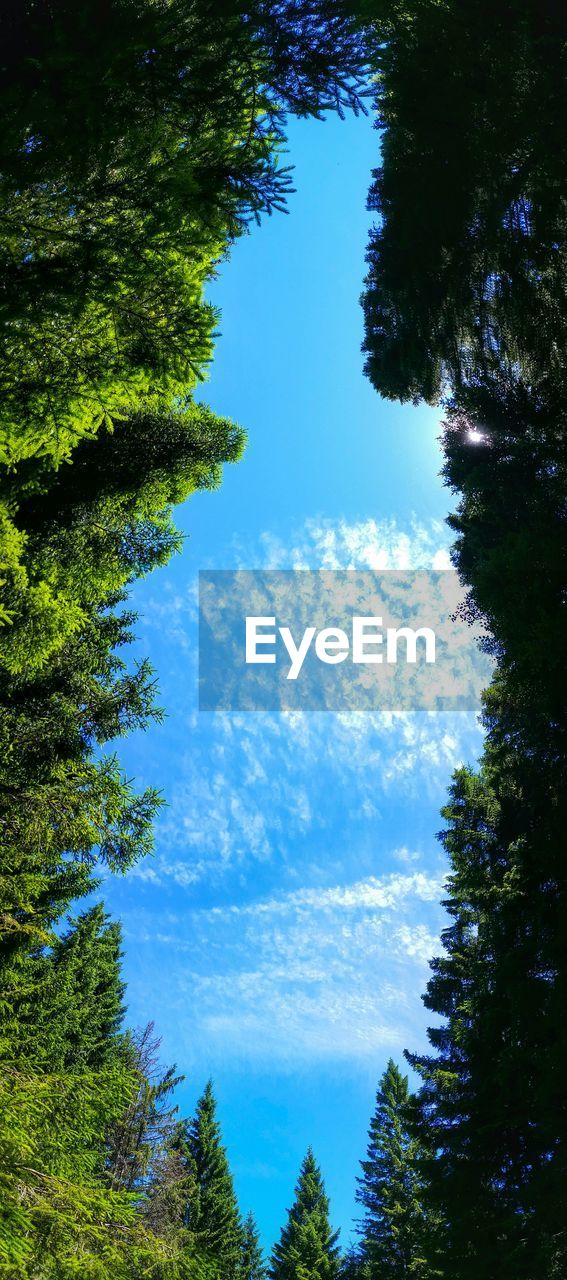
point(468, 259)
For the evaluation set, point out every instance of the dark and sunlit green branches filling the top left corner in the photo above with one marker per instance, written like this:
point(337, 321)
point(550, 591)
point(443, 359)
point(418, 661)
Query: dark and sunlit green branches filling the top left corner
point(139, 141)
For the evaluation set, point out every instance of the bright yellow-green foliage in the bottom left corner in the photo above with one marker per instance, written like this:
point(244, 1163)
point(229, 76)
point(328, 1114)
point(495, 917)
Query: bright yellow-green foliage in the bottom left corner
point(57, 1218)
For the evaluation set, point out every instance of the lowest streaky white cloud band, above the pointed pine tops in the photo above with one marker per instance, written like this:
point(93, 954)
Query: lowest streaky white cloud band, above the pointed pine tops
point(332, 973)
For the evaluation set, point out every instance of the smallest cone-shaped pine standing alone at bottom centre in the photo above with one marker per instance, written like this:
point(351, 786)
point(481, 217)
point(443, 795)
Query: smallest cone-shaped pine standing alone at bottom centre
point(308, 1246)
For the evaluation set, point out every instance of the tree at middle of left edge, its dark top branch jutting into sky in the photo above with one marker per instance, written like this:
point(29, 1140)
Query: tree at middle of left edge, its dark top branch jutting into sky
point(97, 527)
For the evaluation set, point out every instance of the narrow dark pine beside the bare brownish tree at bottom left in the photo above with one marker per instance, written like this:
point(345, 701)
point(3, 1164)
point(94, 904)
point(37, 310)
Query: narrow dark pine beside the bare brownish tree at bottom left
point(213, 1210)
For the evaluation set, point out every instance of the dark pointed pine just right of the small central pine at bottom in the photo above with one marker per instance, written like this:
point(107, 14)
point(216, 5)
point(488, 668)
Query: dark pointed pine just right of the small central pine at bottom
point(395, 1228)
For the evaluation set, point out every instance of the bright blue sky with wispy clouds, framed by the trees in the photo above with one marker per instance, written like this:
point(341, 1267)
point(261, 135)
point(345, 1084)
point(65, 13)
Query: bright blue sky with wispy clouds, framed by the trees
point(281, 934)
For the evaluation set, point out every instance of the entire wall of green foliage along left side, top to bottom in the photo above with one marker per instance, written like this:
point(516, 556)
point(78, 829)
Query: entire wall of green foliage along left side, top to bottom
point(139, 139)
